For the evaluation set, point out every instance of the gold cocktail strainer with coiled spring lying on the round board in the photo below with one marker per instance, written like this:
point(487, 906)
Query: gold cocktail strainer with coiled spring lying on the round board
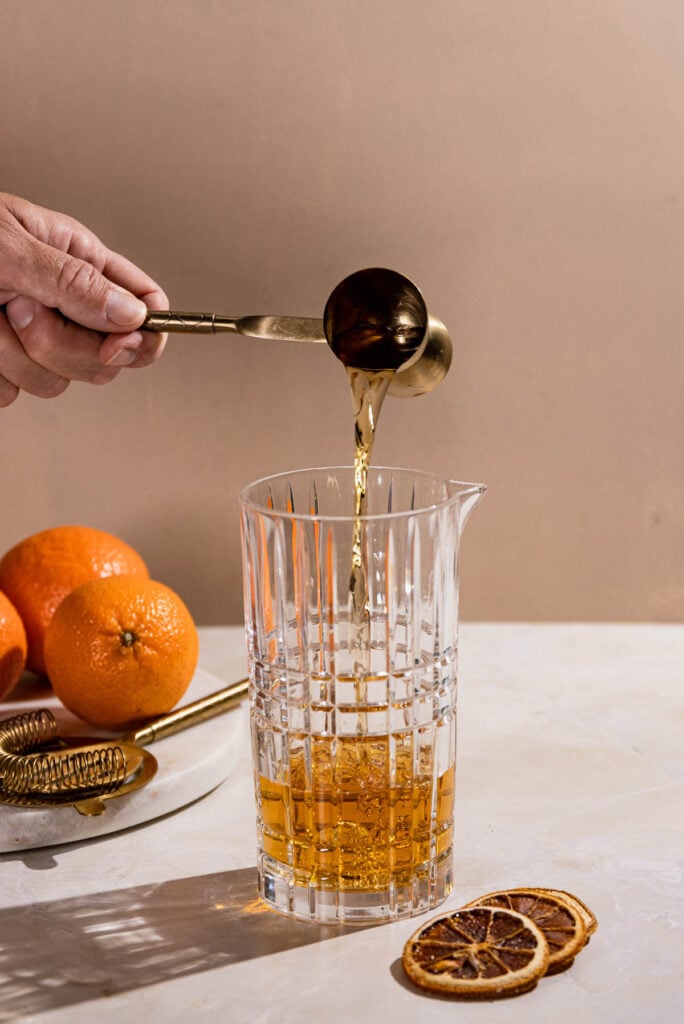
point(96, 770)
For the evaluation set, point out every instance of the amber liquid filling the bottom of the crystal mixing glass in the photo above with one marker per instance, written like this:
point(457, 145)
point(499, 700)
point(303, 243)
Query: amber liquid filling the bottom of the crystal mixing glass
point(350, 826)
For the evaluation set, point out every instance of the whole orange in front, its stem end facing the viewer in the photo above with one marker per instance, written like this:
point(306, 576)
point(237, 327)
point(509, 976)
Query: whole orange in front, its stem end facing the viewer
point(120, 651)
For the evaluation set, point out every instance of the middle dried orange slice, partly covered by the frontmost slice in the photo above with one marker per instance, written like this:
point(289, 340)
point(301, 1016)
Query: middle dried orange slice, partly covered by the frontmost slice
point(562, 923)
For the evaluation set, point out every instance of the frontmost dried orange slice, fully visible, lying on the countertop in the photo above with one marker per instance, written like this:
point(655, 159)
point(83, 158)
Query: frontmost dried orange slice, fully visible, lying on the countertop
point(480, 953)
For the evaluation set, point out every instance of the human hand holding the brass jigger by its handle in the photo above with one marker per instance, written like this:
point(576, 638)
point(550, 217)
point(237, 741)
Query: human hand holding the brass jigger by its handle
point(72, 308)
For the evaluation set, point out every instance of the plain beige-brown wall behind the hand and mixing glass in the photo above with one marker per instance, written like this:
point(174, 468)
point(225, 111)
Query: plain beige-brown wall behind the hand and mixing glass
point(524, 162)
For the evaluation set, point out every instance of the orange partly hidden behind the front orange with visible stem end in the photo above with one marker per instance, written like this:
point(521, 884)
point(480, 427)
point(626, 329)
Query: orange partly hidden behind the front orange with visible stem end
point(40, 571)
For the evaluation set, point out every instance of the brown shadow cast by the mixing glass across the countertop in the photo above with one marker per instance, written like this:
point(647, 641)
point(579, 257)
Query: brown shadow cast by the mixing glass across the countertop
point(66, 952)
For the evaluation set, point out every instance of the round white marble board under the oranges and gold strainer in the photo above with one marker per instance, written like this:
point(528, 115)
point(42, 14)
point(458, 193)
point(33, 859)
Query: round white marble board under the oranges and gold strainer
point(192, 763)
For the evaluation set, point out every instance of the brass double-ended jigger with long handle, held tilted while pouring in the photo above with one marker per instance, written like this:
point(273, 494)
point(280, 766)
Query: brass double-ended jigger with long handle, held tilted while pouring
point(416, 376)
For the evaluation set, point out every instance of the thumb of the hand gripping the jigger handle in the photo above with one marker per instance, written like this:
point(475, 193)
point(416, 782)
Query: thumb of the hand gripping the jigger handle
point(78, 290)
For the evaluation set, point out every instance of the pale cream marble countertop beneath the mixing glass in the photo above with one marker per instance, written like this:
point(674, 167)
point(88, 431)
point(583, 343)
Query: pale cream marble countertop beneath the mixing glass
point(570, 776)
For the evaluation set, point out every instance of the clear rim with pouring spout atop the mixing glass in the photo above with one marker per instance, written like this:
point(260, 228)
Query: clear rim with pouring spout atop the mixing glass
point(466, 489)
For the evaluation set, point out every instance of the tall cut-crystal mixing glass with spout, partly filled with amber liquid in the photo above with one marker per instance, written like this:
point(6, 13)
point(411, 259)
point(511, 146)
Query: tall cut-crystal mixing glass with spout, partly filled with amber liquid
point(354, 724)
